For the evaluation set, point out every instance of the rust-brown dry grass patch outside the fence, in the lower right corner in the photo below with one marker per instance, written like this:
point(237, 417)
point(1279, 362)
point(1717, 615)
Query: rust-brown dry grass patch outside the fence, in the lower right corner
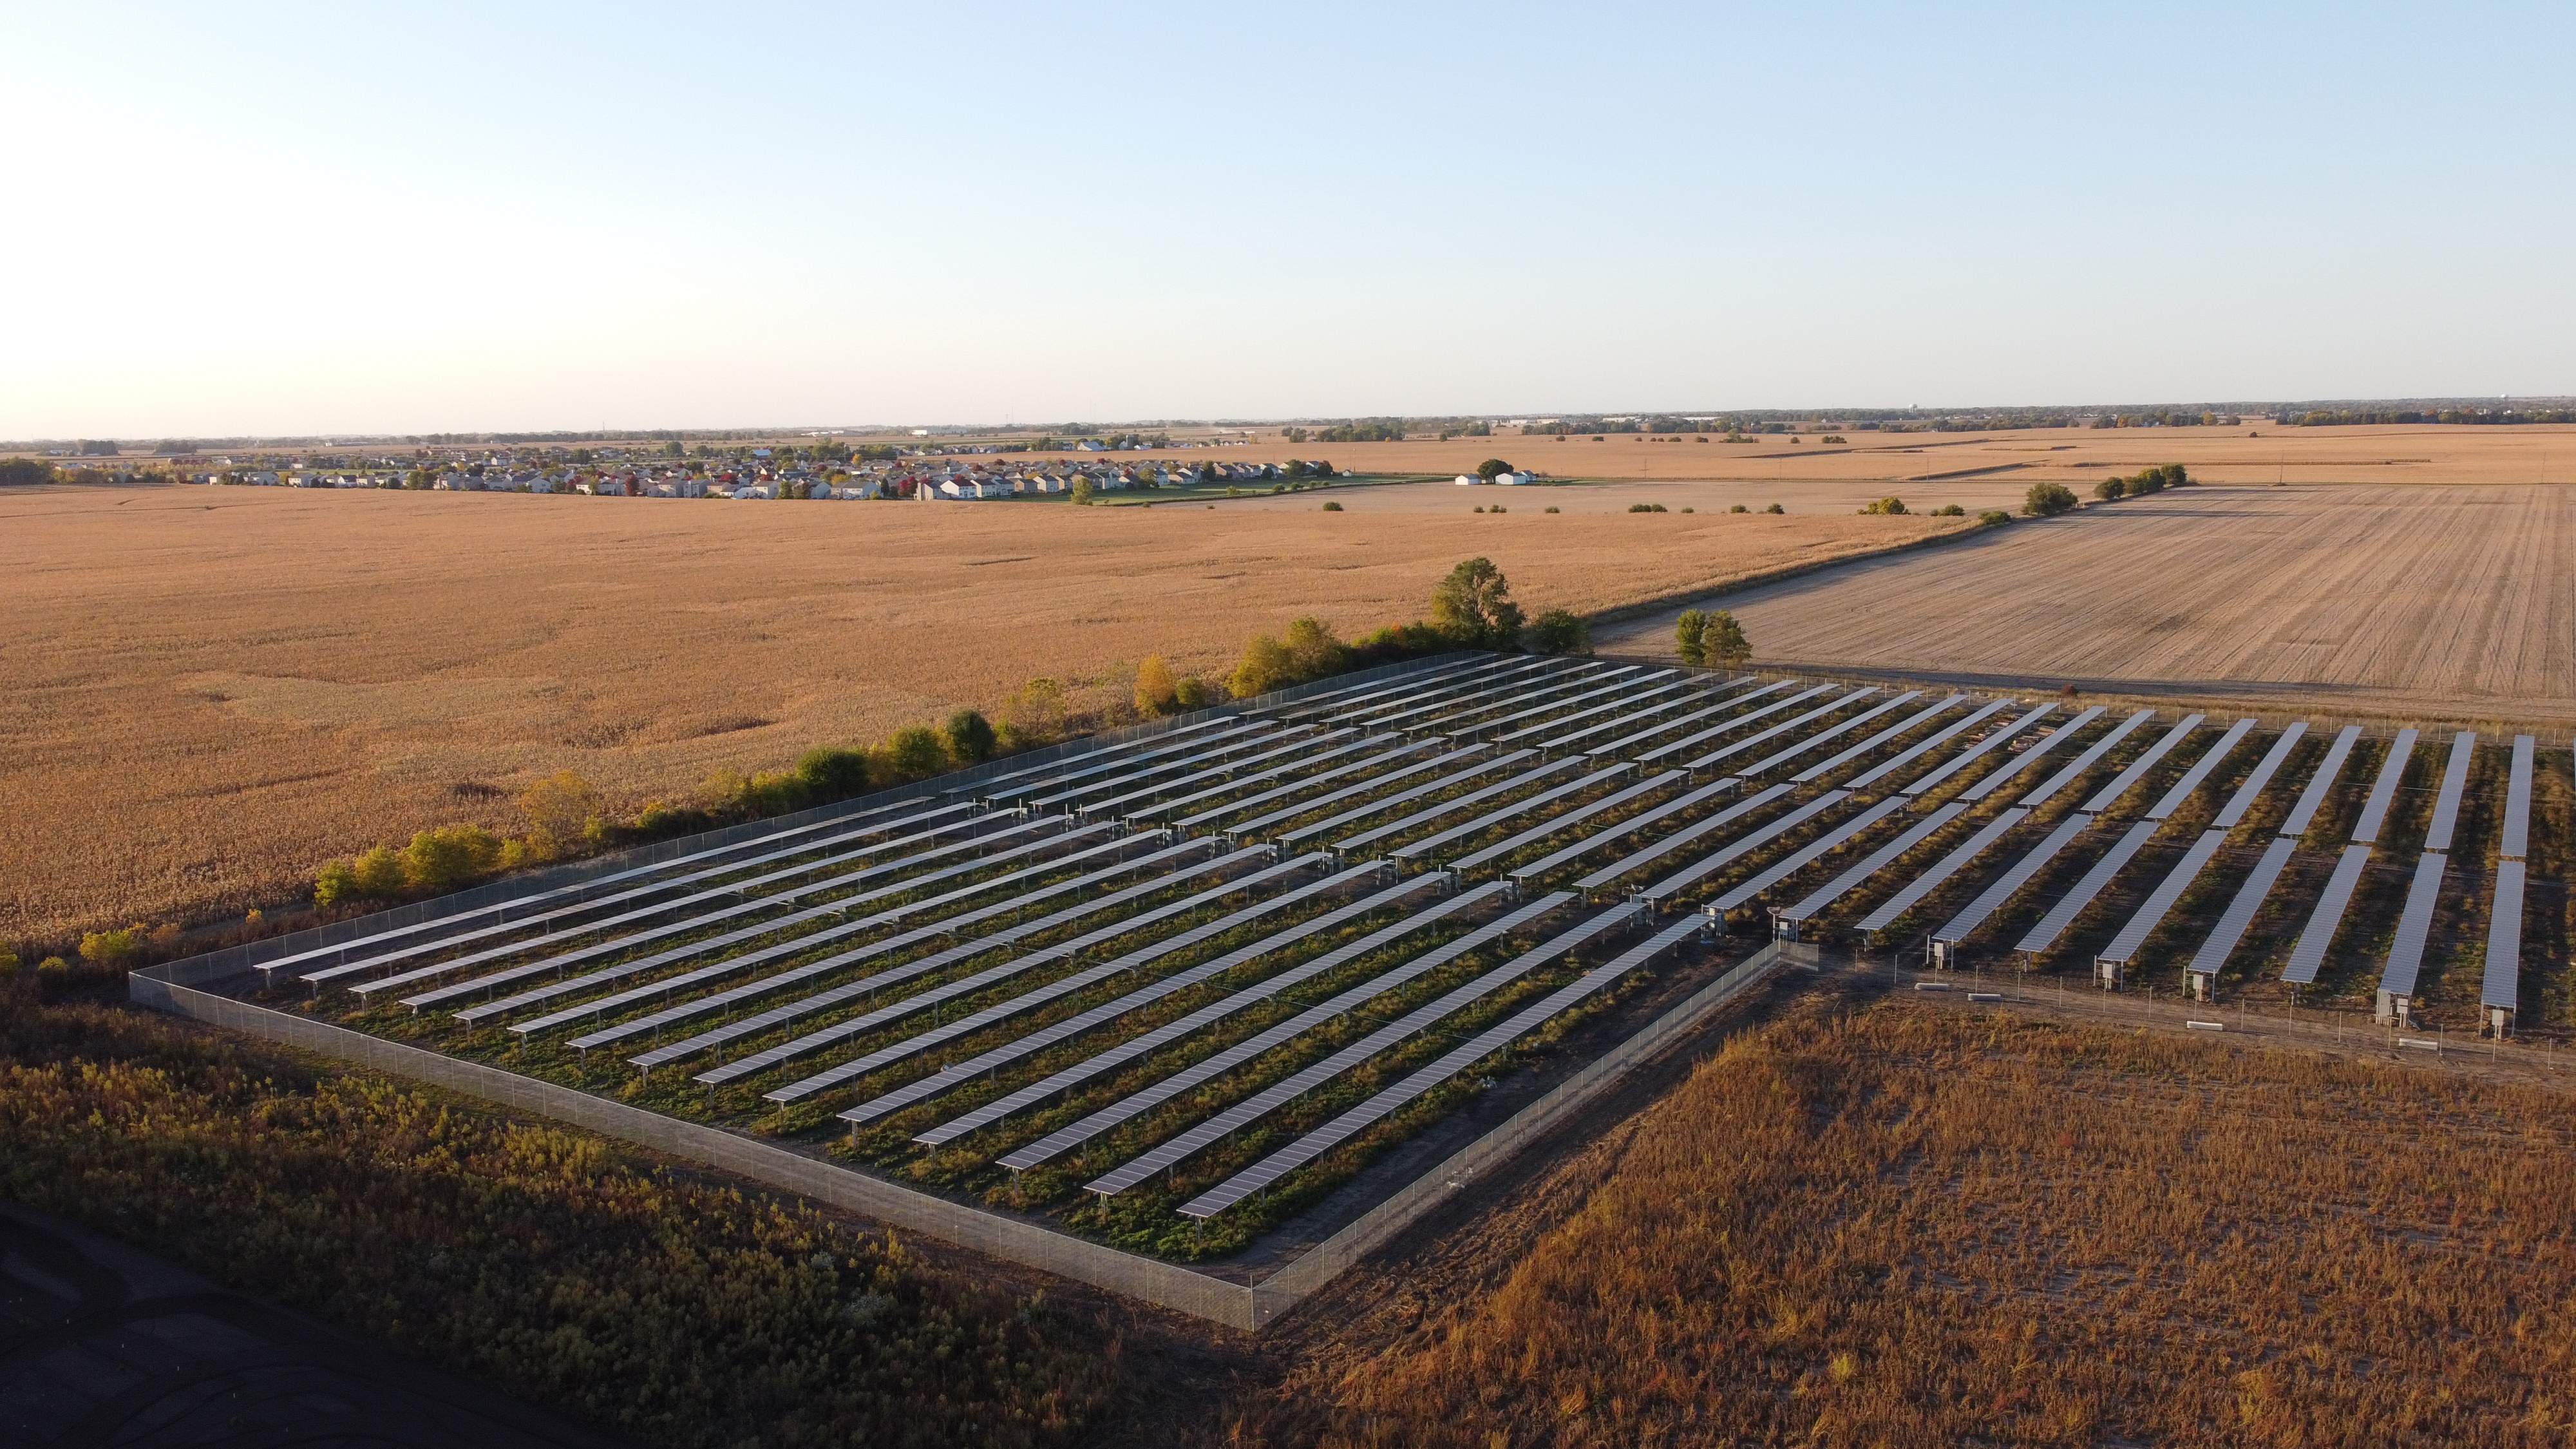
point(1905, 1229)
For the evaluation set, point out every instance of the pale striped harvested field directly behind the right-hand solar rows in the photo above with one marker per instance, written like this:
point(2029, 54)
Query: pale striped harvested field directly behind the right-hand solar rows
point(2412, 602)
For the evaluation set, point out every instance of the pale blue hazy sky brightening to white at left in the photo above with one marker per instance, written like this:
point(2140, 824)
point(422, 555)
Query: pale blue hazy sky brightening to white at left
point(452, 218)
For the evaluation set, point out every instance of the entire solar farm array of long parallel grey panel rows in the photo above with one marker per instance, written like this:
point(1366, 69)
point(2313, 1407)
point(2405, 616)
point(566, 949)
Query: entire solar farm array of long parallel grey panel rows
point(1204, 960)
